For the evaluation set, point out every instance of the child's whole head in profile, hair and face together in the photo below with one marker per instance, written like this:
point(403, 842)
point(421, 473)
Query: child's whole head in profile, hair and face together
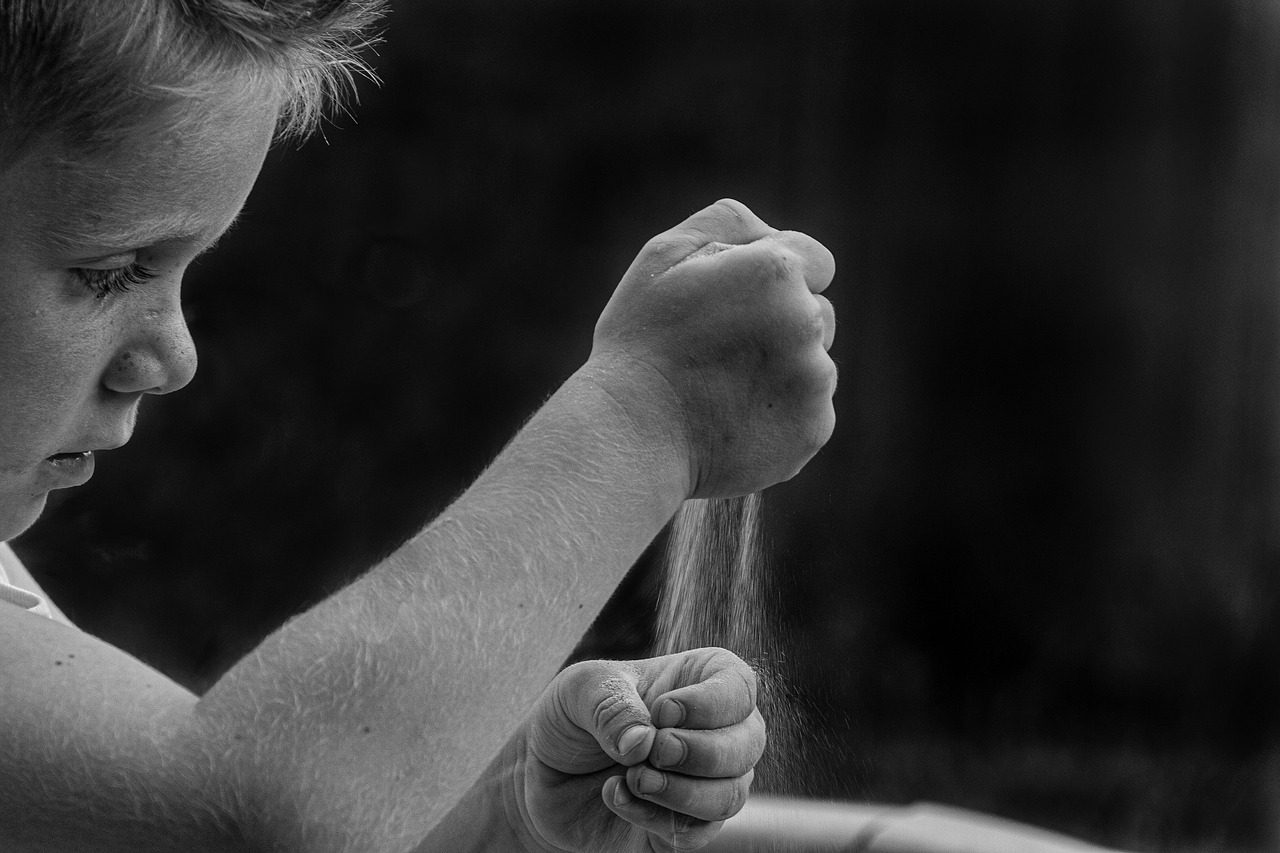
point(131, 133)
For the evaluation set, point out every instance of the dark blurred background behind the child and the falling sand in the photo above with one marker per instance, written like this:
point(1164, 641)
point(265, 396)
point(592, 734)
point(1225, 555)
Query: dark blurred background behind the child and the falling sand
point(1036, 571)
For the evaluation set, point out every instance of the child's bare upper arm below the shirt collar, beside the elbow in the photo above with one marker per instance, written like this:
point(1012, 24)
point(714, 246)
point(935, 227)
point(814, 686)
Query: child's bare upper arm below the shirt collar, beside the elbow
point(100, 752)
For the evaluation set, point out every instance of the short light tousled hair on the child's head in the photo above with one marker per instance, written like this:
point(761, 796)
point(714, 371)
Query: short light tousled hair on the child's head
point(84, 74)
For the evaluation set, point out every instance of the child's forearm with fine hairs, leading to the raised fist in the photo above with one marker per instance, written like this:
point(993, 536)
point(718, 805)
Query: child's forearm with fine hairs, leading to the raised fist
point(386, 703)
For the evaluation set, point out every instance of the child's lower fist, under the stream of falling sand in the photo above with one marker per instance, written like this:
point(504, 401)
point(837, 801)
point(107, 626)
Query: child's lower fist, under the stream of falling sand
point(639, 756)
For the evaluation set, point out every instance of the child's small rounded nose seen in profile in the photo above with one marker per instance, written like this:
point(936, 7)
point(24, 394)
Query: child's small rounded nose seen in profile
point(157, 354)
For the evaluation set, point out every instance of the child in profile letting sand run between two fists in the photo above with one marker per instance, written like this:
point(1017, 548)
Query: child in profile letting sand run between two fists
point(412, 710)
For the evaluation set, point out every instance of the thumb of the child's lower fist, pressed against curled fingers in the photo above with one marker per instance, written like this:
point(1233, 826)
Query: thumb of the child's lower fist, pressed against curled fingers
point(593, 704)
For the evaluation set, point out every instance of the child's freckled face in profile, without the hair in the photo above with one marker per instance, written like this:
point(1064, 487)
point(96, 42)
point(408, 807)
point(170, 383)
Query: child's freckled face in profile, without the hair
point(92, 258)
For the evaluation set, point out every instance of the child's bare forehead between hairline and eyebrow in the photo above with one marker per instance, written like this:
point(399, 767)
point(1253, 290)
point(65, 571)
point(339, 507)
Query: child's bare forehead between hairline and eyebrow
point(158, 184)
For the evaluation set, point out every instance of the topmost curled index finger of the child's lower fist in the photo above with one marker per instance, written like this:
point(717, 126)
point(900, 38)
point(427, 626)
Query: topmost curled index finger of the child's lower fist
point(723, 695)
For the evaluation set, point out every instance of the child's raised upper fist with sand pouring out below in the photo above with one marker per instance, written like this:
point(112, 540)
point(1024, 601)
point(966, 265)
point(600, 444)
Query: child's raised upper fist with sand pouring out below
point(719, 331)
